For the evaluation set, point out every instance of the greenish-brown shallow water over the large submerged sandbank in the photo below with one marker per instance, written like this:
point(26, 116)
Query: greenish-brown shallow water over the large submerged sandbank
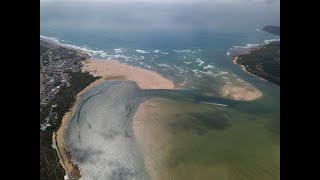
point(197, 141)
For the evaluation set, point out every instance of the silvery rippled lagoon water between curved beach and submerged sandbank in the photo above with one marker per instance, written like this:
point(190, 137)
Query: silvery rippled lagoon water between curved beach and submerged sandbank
point(101, 140)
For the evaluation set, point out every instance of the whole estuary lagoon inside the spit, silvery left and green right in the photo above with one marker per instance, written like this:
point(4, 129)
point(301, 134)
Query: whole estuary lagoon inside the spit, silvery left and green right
point(177, 129)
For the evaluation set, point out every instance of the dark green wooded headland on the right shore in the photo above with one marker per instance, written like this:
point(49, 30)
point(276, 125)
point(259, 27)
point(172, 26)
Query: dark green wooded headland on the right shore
point(263, 62)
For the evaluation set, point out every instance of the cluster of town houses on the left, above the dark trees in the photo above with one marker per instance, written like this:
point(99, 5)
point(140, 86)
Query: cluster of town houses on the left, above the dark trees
point(56, 62)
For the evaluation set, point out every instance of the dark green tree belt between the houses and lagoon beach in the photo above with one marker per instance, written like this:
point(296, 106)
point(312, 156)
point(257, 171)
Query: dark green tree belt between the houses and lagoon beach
point(50, 169)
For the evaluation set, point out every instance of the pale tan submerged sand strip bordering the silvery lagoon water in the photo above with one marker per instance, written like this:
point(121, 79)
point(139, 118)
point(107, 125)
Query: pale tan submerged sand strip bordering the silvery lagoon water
point(151, 138)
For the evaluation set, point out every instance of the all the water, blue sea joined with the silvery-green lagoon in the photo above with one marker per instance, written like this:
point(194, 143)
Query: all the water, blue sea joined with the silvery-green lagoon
point(194, 132)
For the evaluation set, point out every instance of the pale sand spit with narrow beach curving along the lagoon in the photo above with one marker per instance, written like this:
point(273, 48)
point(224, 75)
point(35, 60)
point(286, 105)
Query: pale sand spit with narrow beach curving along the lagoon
point(101, 68)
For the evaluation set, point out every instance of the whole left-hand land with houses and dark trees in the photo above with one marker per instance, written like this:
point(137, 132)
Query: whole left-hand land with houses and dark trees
point(61, 79)
